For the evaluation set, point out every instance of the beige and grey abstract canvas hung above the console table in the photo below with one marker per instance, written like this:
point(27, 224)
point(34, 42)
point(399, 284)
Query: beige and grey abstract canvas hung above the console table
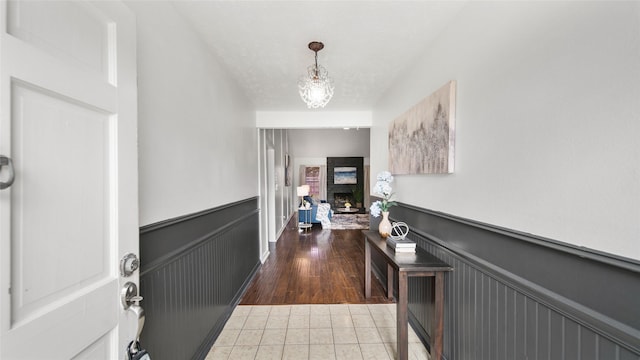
point(422, 140)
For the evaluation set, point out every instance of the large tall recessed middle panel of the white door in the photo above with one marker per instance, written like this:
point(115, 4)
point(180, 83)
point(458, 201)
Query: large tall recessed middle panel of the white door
point(56, 214)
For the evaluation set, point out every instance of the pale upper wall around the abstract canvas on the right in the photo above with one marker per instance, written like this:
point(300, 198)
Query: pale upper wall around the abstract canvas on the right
point(548, 120)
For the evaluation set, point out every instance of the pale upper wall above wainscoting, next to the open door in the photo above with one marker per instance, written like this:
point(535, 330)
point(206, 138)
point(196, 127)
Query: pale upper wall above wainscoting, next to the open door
point(197, 137)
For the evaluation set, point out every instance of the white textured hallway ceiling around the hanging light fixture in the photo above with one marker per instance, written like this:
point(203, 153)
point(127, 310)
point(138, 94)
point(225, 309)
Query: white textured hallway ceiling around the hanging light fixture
point(263, 44)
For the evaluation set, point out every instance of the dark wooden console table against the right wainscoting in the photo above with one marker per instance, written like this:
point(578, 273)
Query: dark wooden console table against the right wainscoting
point(403, 266)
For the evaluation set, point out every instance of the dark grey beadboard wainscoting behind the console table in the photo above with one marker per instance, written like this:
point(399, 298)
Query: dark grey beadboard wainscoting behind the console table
point(517, 296)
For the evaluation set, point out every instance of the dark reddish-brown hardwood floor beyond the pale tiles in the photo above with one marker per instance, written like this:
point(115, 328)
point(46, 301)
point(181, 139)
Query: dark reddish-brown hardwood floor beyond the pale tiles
point(314, 267)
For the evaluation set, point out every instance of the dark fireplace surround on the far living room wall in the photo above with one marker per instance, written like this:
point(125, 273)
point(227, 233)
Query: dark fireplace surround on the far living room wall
point(339, 194)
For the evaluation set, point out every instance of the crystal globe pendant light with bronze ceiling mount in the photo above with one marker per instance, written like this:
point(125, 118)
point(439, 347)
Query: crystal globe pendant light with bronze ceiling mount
point(316, 88)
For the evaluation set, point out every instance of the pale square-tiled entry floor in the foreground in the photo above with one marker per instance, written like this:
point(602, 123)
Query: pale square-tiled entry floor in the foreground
point(313, 332)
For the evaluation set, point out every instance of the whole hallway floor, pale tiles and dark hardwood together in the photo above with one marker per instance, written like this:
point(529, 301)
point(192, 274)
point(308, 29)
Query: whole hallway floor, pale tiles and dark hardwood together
point(307, 302)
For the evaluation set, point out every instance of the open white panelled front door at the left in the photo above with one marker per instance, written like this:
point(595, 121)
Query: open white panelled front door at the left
point(68, 121)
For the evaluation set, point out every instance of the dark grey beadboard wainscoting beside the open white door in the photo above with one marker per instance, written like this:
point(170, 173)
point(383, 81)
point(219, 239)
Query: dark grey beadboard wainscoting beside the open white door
point(193, 272)
